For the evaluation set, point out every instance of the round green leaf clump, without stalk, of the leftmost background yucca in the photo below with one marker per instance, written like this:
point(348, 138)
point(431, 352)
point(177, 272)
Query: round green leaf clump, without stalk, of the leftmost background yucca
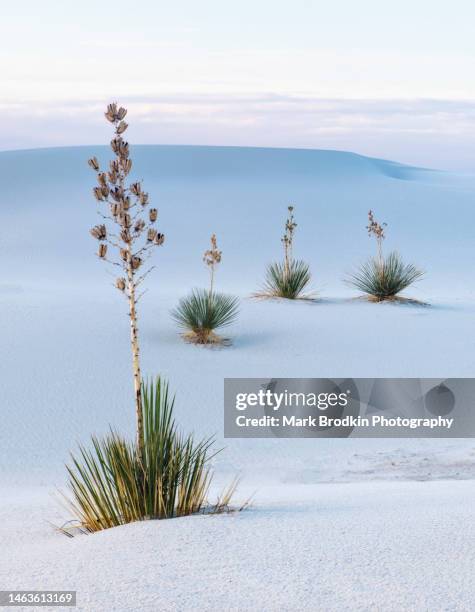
point(203, 312)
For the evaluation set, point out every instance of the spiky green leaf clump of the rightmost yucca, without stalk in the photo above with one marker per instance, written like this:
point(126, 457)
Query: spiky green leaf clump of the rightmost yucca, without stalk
point(386, 281)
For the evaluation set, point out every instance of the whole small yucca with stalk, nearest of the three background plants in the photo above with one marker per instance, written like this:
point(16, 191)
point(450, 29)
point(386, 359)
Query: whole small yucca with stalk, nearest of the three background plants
point(204, 311)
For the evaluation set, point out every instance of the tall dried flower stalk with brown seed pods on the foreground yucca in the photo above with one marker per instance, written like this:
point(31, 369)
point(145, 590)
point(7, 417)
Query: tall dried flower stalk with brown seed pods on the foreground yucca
point(124, 207)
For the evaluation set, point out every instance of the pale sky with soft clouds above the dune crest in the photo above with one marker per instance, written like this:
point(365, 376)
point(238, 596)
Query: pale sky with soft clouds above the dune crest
point(389, 79)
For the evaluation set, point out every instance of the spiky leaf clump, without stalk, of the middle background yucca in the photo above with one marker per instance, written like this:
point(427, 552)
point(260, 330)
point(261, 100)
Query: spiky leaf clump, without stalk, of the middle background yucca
point(287, 282)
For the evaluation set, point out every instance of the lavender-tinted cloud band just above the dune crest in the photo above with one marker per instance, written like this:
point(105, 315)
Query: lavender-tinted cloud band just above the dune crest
point(405, 129)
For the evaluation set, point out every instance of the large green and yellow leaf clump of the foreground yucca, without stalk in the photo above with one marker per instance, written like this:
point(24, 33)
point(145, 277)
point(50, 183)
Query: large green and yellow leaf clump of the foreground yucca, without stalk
point(111, 485)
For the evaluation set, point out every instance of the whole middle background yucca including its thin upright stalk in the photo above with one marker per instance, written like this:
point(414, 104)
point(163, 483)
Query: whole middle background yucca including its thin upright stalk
point(290, 278)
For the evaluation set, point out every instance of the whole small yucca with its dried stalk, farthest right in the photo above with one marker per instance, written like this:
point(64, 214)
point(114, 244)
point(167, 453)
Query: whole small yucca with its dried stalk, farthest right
point(383, 277)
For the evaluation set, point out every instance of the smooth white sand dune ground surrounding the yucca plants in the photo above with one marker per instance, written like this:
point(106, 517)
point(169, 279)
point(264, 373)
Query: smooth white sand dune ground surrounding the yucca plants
point(66, 374)
